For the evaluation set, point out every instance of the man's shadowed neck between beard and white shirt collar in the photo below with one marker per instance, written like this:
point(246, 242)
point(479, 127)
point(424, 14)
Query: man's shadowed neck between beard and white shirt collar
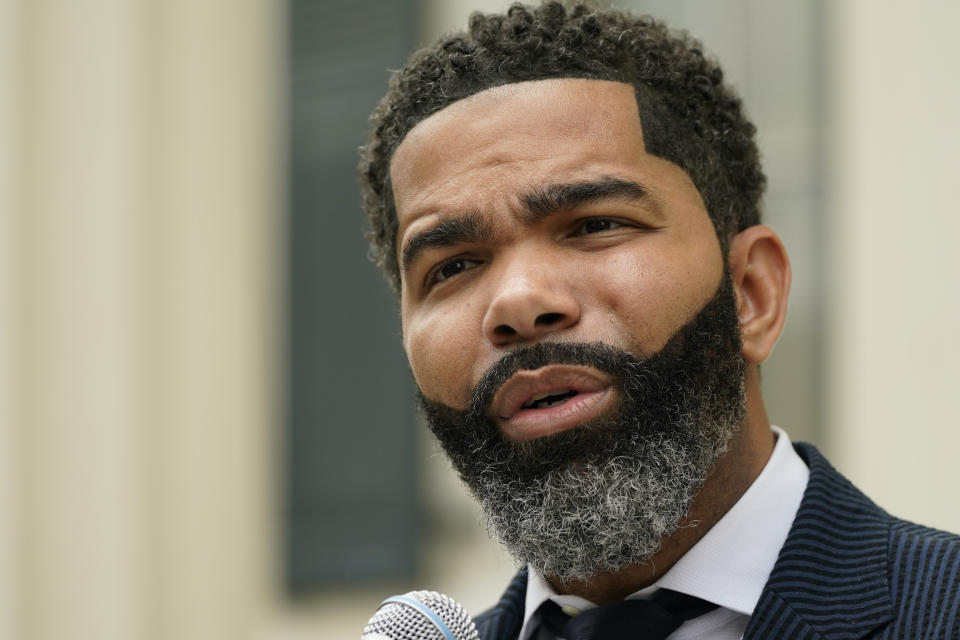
point(729, 478)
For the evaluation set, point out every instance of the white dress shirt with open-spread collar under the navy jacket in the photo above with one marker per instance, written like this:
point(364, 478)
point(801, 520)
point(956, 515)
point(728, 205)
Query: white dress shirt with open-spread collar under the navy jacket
point(729, 566)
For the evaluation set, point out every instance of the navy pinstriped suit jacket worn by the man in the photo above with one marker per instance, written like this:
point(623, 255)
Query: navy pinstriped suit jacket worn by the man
point(847, 570)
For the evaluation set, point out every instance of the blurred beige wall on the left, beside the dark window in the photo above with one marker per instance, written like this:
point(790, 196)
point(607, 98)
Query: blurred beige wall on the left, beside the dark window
point(139, 317)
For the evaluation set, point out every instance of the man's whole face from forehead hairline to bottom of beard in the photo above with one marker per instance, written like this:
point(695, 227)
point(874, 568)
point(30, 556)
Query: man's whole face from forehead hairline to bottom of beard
point(567, 318)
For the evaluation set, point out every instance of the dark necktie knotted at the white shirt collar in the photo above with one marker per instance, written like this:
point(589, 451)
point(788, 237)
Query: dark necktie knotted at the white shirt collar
point(652, 619)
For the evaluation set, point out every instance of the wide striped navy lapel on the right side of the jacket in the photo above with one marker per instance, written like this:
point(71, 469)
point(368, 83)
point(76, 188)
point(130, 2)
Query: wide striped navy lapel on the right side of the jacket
point(830, 579)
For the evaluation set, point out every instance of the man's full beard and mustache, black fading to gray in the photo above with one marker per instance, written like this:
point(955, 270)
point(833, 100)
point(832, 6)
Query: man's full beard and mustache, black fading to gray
point(603, 496)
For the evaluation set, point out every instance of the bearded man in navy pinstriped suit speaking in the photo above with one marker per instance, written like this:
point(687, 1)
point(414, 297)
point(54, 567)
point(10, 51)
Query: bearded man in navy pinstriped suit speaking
point(568, 204)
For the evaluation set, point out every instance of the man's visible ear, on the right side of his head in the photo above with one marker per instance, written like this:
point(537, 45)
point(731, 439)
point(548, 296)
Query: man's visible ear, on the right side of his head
point(761, 277)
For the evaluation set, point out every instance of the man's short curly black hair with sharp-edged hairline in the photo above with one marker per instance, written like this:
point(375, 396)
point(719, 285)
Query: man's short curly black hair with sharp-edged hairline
point(689, 116)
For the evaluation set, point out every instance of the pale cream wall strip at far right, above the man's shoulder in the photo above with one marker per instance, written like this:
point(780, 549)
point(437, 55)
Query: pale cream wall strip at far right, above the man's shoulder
point(894, 221)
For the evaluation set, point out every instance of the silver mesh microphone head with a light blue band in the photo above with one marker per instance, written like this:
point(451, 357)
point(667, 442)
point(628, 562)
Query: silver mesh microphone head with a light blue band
point(420, 615)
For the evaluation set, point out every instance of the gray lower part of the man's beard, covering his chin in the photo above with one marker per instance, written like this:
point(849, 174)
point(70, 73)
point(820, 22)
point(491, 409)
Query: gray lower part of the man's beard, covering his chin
point(586, 518)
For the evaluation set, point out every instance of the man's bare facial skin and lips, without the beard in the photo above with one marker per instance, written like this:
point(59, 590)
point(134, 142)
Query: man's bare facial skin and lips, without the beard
point(531, 212)
